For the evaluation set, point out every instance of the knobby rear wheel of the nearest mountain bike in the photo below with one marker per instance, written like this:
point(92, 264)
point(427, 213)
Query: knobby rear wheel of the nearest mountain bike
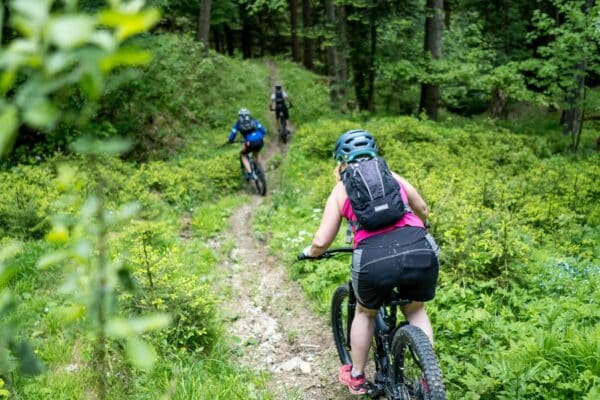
point(416, 366)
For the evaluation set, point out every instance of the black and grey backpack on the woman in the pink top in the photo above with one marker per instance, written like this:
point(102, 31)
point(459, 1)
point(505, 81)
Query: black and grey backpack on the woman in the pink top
point(374, 194)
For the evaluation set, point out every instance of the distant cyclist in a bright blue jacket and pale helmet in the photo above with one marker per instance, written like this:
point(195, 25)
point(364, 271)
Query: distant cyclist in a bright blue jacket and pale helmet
point(253, 133)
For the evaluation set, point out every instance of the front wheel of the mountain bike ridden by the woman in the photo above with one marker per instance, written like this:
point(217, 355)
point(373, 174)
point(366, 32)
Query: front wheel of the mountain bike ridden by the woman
point(341, 320)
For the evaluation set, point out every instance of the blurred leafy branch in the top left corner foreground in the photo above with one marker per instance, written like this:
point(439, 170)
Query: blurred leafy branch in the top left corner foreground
point(57, 56)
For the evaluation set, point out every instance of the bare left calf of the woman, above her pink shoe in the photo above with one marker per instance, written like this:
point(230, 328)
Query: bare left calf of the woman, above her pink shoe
point(361, 336)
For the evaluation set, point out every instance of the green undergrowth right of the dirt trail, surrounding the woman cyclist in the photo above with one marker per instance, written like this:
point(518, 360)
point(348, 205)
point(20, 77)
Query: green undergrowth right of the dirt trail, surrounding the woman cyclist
point(516, 313)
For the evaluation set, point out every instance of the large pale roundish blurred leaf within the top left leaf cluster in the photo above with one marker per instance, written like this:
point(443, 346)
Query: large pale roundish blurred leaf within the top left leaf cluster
point(71, 30)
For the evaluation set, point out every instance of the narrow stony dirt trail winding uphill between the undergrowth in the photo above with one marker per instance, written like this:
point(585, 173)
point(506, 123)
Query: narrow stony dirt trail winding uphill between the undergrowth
point(268, 313)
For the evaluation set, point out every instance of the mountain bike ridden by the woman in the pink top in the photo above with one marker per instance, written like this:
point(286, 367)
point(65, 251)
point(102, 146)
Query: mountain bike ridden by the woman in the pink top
point(405, 365)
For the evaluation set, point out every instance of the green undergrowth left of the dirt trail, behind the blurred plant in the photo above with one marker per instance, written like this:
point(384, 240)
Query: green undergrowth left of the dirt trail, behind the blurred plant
point(186, 193)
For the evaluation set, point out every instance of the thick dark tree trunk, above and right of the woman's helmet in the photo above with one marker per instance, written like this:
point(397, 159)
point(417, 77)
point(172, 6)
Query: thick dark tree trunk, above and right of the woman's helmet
point(430, 92)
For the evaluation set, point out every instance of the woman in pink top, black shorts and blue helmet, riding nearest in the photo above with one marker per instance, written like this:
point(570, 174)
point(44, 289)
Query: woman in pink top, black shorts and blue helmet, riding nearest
point(402, 256)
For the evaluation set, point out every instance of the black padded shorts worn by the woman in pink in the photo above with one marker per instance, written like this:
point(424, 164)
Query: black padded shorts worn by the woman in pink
point(405, 258)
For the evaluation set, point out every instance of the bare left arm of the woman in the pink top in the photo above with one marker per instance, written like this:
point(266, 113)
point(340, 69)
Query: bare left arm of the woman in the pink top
point(330, 222)
